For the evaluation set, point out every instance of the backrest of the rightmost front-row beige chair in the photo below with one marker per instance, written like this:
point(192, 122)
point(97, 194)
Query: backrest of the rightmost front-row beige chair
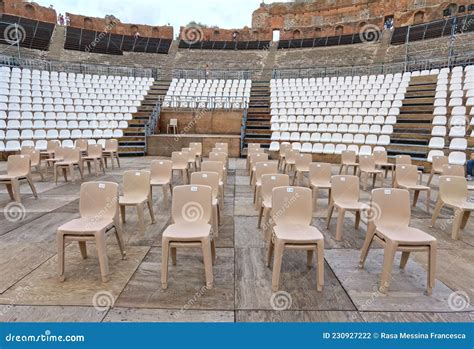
point(390, 207)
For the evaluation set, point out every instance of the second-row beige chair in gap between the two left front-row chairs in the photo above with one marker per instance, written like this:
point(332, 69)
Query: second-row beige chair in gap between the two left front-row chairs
point(136, 192)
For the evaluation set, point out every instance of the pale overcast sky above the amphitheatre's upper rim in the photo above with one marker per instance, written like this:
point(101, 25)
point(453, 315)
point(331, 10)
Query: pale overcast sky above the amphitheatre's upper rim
point(223, 13)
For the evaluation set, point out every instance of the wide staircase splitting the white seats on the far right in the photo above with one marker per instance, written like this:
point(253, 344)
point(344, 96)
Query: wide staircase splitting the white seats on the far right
point(412, 131)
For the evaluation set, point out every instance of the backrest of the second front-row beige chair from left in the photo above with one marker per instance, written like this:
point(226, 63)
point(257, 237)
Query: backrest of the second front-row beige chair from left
point(192, 204)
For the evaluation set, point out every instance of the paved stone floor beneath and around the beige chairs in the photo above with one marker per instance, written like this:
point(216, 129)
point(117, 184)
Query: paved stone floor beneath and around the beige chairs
point(31, 291)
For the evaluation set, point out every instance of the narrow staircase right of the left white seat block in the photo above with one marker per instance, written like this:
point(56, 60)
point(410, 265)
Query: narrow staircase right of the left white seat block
point(133, 143)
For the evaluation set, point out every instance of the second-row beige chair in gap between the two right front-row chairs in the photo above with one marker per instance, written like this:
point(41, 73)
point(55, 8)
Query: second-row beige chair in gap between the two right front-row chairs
point(345, 195)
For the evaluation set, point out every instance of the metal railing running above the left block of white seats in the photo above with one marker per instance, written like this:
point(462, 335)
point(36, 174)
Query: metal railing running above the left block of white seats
point(72, 67)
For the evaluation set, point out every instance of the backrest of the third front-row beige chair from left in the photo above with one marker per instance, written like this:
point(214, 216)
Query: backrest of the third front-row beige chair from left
point(292, 206)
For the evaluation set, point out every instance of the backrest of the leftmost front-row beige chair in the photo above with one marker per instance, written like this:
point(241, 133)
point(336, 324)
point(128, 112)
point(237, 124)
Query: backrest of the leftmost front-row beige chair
point(99, 200)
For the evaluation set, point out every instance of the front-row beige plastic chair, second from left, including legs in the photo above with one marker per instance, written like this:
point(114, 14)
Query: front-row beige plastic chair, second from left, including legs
point(191, 213)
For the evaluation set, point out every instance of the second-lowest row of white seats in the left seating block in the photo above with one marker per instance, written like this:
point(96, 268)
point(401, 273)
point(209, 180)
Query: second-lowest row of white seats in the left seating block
point(12, 135)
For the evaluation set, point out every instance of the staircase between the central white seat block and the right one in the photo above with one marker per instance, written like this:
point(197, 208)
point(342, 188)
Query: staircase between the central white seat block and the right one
point(258, 115)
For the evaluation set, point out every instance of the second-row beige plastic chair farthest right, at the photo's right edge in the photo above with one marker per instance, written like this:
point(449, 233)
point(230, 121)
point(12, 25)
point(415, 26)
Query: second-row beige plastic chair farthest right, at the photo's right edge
point(454, 194)
